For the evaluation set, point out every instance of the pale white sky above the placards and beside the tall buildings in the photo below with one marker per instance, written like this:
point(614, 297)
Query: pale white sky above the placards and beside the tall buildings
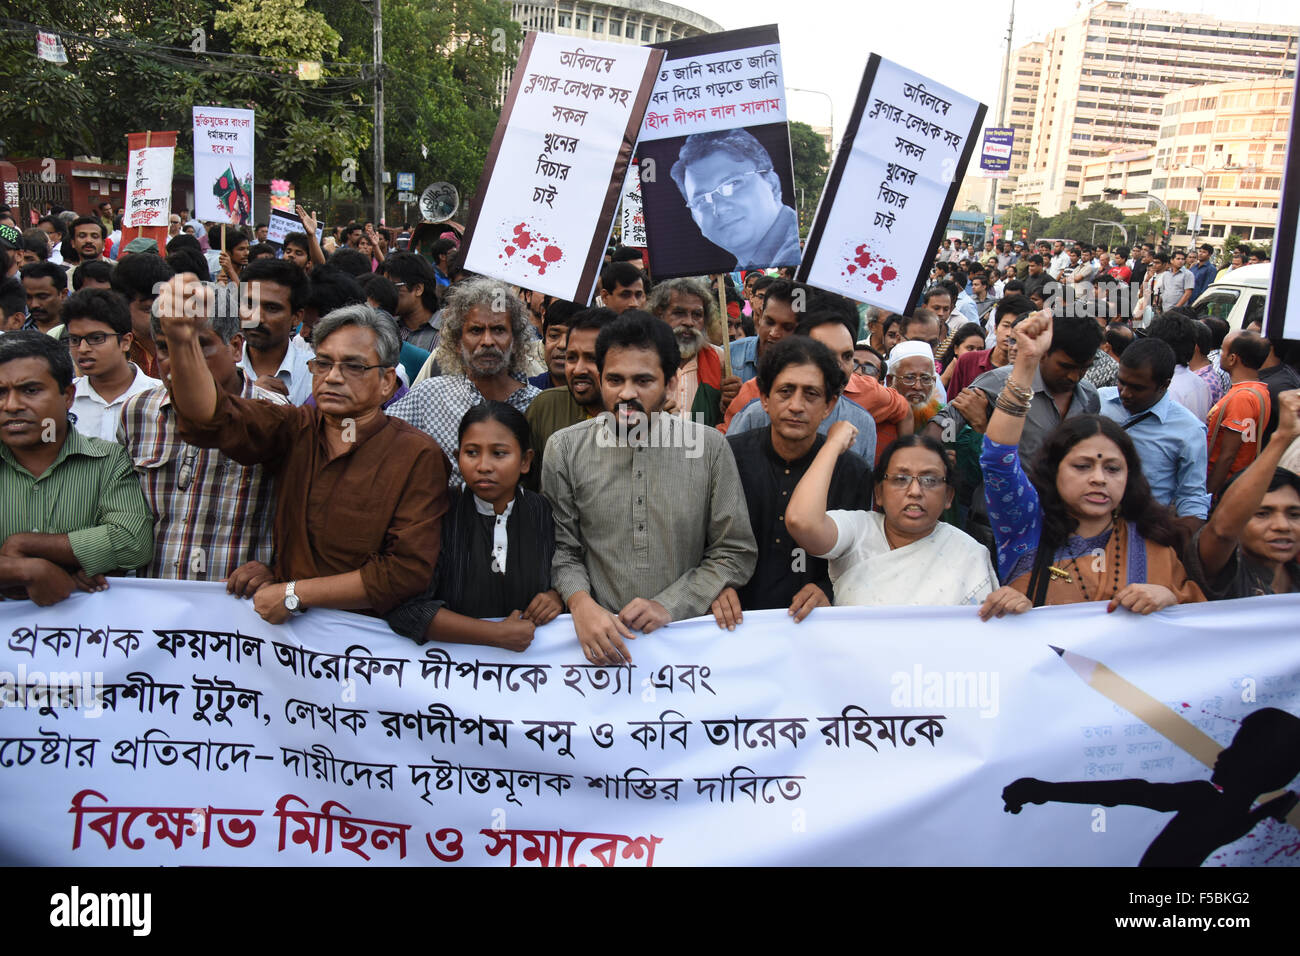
point(960, 44)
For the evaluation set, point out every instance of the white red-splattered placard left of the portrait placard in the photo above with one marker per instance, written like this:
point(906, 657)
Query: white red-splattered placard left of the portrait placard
point(547, 200)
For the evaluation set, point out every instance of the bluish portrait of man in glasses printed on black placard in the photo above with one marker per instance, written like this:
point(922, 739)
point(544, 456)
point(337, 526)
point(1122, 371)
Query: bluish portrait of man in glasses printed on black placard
point(734, 194)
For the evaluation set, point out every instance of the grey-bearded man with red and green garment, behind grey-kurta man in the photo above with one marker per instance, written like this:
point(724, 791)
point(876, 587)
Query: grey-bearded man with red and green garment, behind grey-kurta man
point(701, 392)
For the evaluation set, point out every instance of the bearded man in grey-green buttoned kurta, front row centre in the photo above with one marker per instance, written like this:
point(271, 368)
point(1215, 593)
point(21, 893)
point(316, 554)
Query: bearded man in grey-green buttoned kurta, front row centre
point(651, 521)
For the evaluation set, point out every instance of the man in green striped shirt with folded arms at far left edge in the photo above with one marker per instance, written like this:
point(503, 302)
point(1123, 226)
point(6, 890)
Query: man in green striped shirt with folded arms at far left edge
point(73, 511)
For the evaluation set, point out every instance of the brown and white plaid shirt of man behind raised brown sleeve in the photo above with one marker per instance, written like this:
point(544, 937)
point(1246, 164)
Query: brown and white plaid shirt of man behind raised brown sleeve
point(211, 514)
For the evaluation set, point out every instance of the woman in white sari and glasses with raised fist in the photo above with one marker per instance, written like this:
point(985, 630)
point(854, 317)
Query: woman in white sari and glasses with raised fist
point(903, 556)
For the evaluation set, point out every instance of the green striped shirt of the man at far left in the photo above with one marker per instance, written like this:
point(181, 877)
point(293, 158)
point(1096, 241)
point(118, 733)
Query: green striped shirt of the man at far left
point(89, 494)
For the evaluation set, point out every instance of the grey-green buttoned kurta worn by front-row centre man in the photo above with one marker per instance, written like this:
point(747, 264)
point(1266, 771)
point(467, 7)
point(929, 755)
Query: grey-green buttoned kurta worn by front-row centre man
point(665, 521)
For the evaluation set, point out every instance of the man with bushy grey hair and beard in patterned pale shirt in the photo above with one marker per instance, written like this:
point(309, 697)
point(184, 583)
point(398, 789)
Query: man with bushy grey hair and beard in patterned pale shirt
point(483, 356)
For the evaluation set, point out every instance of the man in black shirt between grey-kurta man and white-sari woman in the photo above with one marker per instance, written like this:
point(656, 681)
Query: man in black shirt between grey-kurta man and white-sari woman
point(799, 382)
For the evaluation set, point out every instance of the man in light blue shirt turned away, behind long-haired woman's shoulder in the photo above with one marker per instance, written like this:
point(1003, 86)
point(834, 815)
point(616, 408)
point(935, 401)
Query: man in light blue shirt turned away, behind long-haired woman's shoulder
point(1171, 440)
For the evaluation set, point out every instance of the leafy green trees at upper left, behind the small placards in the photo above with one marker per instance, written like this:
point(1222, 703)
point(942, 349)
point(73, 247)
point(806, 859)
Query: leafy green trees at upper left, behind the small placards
point(137, 70)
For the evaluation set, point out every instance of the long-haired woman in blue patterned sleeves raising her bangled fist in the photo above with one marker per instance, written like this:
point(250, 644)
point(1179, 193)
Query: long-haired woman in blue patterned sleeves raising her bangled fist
point(1082, 526)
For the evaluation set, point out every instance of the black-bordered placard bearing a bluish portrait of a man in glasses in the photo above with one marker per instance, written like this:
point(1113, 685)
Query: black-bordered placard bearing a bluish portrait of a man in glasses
point(716, 158)
